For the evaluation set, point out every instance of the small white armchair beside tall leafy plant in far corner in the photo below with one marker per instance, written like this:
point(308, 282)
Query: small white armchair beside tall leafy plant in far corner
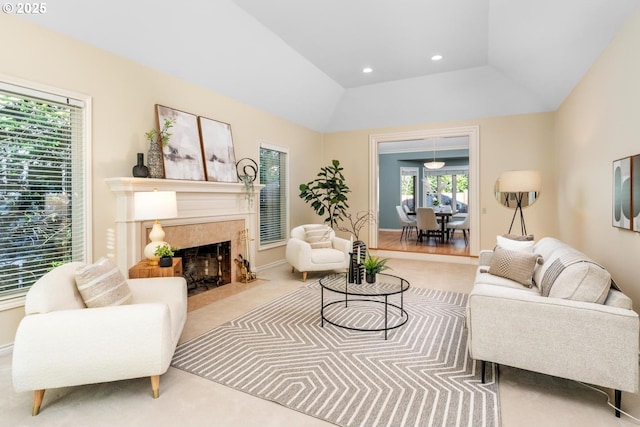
point(304, 258)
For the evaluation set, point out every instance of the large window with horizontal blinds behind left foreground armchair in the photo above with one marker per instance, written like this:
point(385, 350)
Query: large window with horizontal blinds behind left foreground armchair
point(42, 202)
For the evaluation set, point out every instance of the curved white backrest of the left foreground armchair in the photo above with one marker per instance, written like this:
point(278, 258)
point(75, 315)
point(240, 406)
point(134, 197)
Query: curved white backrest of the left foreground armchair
point(55, 291)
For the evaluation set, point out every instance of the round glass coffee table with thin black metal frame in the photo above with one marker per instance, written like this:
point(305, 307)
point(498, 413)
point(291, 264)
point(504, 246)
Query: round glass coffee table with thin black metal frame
point(361, 297)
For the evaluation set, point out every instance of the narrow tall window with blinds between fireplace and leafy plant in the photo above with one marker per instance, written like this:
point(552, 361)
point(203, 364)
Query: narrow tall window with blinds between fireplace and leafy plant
point(274, 203)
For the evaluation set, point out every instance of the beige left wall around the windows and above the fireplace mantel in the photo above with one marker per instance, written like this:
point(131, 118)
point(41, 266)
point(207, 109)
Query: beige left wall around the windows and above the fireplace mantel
point(124, 94)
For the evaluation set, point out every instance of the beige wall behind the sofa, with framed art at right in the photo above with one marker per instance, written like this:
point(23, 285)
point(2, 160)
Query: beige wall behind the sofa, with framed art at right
point(595, 126)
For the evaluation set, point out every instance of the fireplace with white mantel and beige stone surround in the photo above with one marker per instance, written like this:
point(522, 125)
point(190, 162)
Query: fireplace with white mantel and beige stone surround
point(208, 213)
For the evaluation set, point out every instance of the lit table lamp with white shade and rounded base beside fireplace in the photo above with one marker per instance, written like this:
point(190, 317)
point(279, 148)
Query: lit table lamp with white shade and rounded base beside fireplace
point(155, 205)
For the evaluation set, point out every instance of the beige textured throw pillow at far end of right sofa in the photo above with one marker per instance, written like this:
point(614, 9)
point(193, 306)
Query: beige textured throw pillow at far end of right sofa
point(515, 265)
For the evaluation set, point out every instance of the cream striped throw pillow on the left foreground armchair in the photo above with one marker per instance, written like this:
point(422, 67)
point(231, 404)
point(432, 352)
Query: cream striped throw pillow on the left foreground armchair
point(101, 284)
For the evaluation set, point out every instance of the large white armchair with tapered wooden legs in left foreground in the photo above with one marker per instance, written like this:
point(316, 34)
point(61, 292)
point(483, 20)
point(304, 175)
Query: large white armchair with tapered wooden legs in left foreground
point(60, 342)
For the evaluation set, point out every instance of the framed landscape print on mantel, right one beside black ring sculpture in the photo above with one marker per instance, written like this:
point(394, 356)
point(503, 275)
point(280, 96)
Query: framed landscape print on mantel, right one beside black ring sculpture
point(217, 146)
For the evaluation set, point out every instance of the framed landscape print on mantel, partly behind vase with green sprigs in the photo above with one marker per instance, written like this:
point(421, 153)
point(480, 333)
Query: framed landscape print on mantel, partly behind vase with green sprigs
point(182, 155)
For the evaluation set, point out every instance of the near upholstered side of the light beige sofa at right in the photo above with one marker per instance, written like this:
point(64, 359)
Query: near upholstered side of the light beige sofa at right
point(582, 341)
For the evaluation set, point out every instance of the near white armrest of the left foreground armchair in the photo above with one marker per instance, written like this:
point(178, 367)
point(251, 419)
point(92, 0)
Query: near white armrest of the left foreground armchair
point(92, 345)
